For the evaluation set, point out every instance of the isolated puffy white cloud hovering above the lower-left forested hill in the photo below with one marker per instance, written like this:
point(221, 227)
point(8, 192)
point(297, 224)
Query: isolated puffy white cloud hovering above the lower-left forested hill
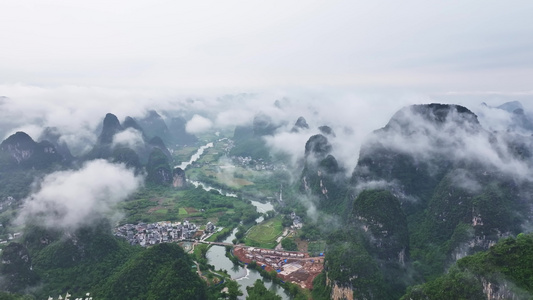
point(74, 198)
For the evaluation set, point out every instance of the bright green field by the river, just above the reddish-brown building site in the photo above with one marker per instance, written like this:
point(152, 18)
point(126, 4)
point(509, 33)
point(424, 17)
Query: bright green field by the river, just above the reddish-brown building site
point(264, 235)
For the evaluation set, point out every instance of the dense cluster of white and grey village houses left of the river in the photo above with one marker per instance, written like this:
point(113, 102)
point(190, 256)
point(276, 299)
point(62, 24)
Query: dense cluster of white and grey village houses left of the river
point(162, 232)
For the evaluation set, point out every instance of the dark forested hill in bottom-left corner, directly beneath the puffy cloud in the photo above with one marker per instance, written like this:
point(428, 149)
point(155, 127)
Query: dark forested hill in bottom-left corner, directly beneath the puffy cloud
point(77, 264)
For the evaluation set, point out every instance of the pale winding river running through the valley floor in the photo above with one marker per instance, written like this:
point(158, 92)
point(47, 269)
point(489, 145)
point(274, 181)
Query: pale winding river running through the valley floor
point(216, 255)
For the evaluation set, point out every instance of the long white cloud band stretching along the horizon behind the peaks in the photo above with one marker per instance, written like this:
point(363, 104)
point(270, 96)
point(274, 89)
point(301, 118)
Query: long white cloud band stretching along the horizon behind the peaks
point(78, 111)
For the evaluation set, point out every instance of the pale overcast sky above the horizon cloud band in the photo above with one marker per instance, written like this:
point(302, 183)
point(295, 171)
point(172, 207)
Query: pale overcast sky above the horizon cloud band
point(434, 46)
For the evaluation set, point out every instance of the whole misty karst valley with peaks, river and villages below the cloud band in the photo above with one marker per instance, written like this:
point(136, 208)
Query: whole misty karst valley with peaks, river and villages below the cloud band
point(225, 208)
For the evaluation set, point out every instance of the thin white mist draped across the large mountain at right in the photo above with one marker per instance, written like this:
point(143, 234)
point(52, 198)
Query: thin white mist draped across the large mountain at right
point(459, 138)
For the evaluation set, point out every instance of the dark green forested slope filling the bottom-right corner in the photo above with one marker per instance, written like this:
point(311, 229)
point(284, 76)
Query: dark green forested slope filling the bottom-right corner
point(509, 261)
